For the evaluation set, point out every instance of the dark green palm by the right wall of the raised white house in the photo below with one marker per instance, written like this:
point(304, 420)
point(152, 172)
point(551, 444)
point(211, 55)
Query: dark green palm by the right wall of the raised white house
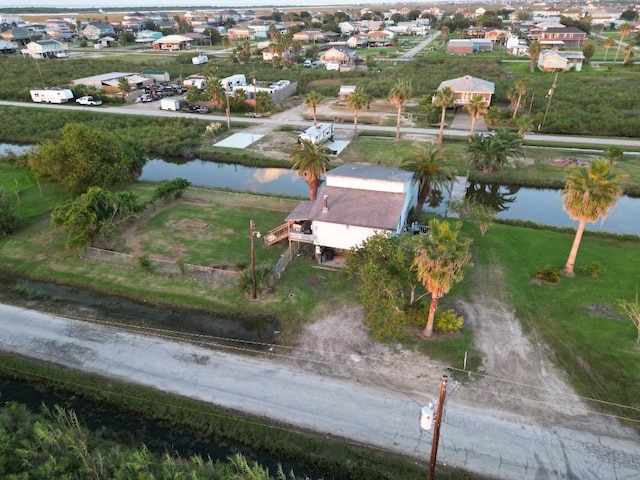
point(430, 170)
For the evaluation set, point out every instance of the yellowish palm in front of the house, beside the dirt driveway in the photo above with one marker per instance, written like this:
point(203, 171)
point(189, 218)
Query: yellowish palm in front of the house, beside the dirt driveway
point(440, 263)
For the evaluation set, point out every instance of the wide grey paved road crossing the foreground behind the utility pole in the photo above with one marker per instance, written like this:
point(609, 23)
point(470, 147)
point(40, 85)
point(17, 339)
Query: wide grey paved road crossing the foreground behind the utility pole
point(490, 443)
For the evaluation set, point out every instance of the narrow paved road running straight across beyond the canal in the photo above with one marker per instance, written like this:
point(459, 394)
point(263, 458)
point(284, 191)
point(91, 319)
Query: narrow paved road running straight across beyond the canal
point(153, 109)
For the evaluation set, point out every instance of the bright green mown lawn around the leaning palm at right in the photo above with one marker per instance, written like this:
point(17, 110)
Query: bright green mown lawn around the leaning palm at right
point(578, 318)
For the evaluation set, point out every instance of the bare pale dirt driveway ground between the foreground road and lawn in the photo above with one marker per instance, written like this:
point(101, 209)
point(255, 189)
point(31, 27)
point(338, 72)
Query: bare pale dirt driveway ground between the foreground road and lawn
point(516, 374)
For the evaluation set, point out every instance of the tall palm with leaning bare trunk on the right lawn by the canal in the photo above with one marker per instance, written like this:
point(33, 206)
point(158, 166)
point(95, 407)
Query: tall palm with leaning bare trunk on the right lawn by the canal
point(589, 194)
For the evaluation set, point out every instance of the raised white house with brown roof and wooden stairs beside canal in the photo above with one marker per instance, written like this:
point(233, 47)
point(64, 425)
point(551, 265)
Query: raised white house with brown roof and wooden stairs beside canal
point(356, 202)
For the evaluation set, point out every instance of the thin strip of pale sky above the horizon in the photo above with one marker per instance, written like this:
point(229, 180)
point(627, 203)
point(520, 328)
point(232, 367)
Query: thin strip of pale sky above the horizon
point(213, 4)
